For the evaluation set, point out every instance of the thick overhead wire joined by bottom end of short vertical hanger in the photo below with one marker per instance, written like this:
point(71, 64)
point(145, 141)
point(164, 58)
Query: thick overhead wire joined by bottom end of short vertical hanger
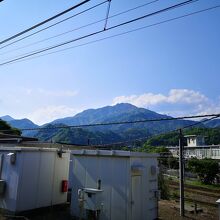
point(98, 32)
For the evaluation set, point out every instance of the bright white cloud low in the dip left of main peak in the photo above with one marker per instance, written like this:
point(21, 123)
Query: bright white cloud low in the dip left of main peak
point(50, 113)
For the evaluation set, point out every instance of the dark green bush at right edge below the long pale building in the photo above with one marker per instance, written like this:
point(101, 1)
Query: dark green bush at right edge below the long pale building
point(206, 169)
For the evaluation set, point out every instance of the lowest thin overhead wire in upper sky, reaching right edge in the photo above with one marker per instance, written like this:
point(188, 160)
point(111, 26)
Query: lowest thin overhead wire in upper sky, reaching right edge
point(126, 32)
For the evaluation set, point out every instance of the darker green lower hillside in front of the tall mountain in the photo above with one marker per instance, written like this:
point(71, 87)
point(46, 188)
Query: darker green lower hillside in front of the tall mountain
point(81, 136)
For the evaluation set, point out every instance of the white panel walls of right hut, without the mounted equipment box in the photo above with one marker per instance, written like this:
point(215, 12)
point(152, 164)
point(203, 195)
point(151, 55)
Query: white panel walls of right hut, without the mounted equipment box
point(121, 199)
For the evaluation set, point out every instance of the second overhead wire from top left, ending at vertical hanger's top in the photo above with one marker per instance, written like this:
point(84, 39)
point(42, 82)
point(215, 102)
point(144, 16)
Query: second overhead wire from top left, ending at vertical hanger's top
point(50, 26)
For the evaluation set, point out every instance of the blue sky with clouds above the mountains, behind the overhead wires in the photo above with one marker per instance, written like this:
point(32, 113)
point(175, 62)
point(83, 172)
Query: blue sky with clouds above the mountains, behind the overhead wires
point(171, 68)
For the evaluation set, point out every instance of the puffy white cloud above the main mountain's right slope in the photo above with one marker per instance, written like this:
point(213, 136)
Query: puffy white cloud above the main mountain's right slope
point(176, 102)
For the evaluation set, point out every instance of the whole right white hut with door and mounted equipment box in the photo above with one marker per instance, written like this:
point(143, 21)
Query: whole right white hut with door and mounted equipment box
point(114, 185)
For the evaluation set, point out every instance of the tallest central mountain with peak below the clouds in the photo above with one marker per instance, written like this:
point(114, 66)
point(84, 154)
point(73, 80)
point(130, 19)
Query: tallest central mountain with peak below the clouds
point(122, 112)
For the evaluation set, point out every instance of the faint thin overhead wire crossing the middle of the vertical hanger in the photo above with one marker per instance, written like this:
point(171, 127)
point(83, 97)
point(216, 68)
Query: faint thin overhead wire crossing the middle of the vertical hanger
point(81, 27)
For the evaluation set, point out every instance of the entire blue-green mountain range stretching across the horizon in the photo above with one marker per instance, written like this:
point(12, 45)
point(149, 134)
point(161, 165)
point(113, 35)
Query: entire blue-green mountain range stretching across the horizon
point(104, 134)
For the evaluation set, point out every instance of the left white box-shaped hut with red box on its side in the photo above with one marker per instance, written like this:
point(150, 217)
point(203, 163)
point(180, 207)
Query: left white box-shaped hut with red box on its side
point(32, 177)
